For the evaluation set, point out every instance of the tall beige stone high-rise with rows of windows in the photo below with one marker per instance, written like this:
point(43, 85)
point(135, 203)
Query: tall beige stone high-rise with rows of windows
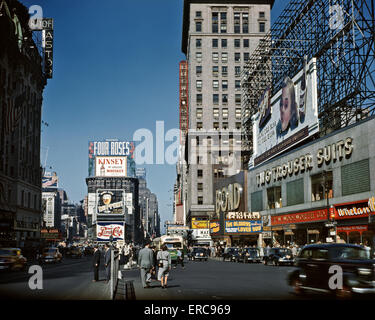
point(218, 38)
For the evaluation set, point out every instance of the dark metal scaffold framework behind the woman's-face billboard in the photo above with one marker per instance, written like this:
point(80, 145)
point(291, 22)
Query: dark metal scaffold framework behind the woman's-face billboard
point(341, 35)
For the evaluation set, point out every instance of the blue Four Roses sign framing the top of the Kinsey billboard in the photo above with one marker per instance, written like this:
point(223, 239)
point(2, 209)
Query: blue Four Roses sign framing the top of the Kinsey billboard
point(109, 148)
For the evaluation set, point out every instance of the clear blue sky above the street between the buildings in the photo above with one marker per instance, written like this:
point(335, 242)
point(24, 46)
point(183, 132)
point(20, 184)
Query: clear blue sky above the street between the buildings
point(115, 71)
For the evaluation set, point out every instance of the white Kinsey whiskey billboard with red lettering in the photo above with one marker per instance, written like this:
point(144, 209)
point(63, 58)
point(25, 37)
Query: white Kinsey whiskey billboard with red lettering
point(111, 166)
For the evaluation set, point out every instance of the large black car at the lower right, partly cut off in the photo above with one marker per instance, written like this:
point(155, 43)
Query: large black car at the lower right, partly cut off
point(317, 265)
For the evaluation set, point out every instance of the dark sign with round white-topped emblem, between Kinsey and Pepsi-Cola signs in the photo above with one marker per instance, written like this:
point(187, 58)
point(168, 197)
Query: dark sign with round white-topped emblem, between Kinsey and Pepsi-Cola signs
point(110, 202)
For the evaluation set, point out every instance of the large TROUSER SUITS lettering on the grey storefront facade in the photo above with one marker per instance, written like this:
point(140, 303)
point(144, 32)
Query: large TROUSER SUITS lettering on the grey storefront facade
point(304, 163)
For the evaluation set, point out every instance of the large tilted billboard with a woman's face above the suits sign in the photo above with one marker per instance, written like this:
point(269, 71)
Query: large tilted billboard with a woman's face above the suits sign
point(289, 117)
